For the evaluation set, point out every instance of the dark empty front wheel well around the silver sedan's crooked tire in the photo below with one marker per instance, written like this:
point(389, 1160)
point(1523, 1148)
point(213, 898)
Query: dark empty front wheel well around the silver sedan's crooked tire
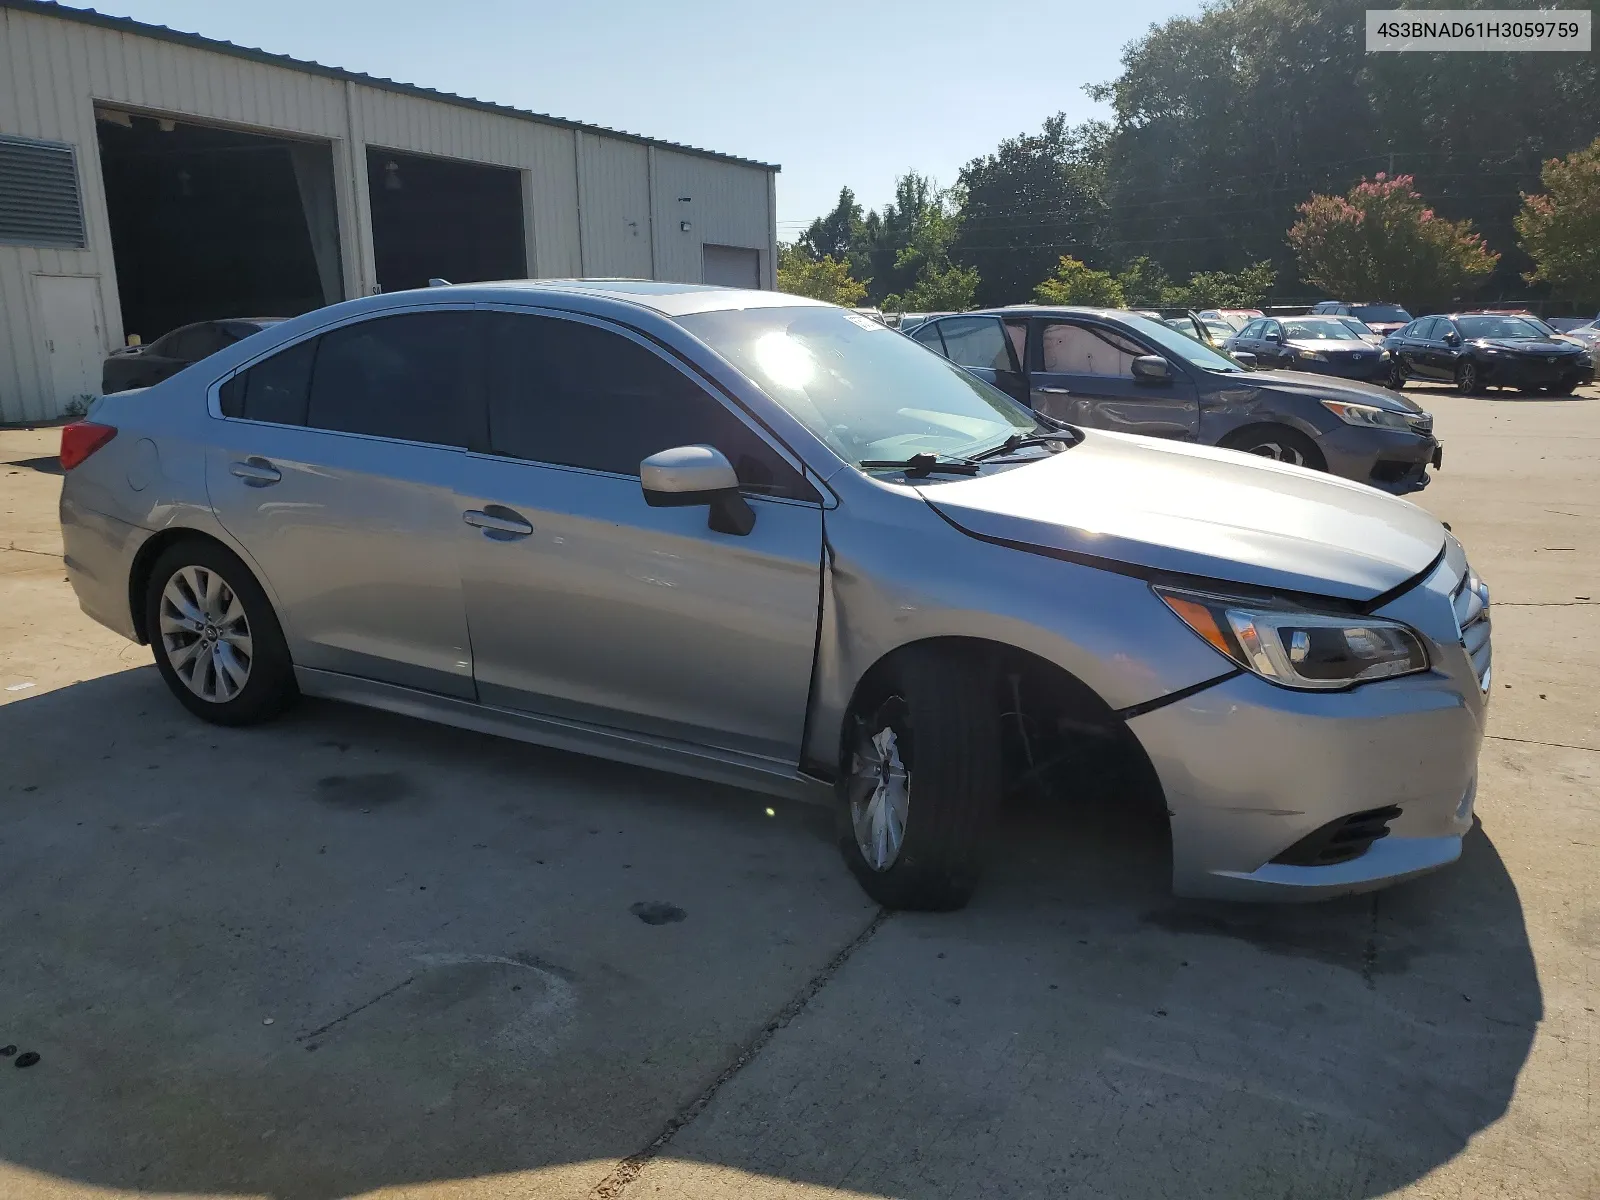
point(1057, 732)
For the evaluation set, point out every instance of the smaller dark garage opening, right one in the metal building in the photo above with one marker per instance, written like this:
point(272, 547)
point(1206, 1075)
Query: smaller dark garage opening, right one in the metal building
point(439, 218)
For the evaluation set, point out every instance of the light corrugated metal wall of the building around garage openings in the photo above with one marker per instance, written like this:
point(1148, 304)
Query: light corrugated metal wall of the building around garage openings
point(594, 206)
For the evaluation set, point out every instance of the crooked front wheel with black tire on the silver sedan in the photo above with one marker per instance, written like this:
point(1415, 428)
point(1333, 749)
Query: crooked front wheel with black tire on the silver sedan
point(922, 780)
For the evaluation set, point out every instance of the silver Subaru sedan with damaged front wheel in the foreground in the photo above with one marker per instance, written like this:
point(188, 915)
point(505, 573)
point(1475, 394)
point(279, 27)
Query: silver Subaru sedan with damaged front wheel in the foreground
point(772, 543)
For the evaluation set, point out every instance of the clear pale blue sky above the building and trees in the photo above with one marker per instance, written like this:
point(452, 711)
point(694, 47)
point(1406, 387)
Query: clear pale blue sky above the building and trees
point(838, 94)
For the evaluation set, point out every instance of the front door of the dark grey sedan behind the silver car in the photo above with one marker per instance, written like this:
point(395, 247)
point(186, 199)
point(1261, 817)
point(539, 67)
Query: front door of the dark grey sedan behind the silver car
point(1082, 374)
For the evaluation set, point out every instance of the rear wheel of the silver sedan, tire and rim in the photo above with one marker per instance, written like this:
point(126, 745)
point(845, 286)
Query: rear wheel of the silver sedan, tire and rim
point(217, 639)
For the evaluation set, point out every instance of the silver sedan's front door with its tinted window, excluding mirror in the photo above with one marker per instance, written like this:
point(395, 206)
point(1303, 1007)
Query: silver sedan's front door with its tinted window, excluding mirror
point(585, 602)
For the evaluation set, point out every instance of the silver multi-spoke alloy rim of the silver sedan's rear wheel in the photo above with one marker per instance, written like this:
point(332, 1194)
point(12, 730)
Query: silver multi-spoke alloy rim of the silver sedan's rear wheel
point(206, 634)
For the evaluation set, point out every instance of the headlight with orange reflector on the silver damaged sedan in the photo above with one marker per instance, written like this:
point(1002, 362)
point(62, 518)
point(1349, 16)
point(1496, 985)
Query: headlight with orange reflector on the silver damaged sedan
point(1297, 649)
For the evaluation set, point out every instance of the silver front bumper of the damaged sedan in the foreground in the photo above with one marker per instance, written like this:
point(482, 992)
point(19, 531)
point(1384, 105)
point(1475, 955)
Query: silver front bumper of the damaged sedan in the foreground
point(1250, 770)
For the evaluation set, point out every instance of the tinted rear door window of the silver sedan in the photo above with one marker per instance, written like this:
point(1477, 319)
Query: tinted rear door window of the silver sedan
point(409, 377)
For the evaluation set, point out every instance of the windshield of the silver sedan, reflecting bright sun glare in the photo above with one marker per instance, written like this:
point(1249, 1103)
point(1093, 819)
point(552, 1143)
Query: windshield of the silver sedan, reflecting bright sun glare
point(862, 388)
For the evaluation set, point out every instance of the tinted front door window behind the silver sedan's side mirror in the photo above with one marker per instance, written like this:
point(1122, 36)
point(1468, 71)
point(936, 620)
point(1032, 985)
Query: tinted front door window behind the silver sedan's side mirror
point(578, 396)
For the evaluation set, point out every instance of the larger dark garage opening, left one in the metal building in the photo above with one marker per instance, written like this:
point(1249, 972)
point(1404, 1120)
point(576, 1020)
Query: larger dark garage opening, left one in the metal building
point(212, 223)
